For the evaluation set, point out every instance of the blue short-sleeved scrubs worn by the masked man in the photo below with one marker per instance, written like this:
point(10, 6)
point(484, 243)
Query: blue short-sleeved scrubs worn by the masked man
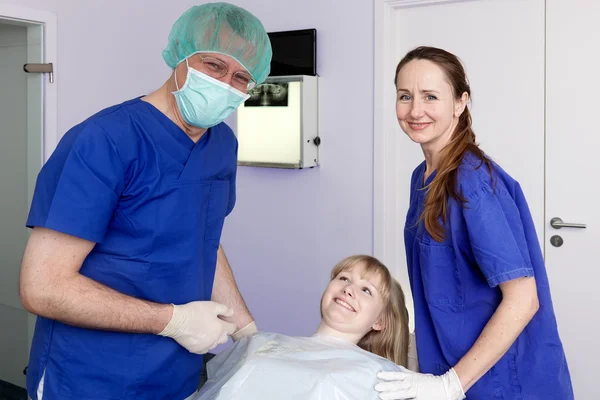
point(154, 202)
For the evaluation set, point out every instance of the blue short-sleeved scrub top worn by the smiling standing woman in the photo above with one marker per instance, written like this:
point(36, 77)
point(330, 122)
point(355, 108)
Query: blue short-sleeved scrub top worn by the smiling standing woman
point(489, 241)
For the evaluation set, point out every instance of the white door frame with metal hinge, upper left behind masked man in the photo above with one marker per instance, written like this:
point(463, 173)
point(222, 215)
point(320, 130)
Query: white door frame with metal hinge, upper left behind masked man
point(47, 20)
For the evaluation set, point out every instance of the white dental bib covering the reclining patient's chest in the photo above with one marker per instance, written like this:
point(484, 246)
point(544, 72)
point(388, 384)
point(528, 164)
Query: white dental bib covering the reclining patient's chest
point(273, 366)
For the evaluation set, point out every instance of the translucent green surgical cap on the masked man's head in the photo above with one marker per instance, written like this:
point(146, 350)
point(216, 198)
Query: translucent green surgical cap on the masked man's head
point(221, 28)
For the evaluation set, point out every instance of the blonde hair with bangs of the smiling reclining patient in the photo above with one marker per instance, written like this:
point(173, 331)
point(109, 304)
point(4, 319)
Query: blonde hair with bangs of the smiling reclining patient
point(391, 342)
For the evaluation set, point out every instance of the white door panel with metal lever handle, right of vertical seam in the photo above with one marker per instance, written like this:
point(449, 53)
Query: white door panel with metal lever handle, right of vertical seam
point(572, 191)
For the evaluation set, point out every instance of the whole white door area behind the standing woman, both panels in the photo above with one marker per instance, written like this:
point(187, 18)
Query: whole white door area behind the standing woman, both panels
point(533, 66)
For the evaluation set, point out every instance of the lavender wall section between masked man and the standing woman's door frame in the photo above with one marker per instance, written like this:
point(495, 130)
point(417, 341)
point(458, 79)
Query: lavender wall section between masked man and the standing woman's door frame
point(290, 227)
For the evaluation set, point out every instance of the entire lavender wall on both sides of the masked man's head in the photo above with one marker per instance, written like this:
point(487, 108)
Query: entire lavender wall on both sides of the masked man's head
point(289, 227)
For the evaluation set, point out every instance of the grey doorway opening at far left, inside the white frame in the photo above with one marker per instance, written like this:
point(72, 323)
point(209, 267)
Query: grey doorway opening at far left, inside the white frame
point(15, 163)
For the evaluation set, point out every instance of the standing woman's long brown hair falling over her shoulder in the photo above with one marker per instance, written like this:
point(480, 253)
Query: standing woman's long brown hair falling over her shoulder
point(444, 185)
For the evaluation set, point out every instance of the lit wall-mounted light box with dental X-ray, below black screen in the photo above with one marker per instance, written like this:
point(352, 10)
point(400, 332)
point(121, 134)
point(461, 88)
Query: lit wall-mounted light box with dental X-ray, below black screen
point(278, 125)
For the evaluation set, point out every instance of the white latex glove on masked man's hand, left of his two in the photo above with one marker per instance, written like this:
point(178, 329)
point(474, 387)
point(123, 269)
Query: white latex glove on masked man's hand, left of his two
point(197, 327)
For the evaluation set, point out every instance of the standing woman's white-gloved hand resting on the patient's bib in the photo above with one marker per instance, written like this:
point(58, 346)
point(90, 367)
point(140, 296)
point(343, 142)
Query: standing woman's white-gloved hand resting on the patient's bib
point(413, 385)
